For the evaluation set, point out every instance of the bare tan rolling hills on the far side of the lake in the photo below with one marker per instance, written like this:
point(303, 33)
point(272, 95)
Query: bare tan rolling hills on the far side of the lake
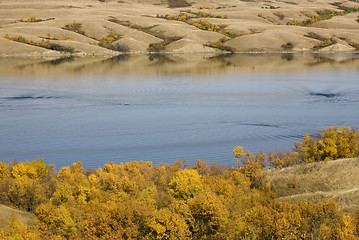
point(258, 26)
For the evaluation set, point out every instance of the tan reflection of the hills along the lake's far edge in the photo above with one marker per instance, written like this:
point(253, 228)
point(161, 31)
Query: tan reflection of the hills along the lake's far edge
point(177, 64)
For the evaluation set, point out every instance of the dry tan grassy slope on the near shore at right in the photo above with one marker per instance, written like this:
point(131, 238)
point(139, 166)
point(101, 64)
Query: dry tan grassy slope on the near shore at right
point(320, 181)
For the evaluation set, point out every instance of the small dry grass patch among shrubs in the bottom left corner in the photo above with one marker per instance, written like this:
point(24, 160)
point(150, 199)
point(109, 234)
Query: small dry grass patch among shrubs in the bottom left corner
point(6, 214)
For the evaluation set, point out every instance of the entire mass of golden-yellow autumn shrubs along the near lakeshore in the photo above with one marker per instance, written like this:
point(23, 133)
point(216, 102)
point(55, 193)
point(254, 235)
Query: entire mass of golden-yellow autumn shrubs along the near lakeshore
point(137, 200)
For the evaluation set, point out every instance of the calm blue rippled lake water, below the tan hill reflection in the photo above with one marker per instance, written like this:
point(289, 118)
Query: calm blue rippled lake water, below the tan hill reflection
point(98, 118)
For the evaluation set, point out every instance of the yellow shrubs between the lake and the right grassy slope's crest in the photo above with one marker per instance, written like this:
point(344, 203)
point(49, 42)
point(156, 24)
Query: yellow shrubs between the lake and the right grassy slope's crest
point(330, 144)
